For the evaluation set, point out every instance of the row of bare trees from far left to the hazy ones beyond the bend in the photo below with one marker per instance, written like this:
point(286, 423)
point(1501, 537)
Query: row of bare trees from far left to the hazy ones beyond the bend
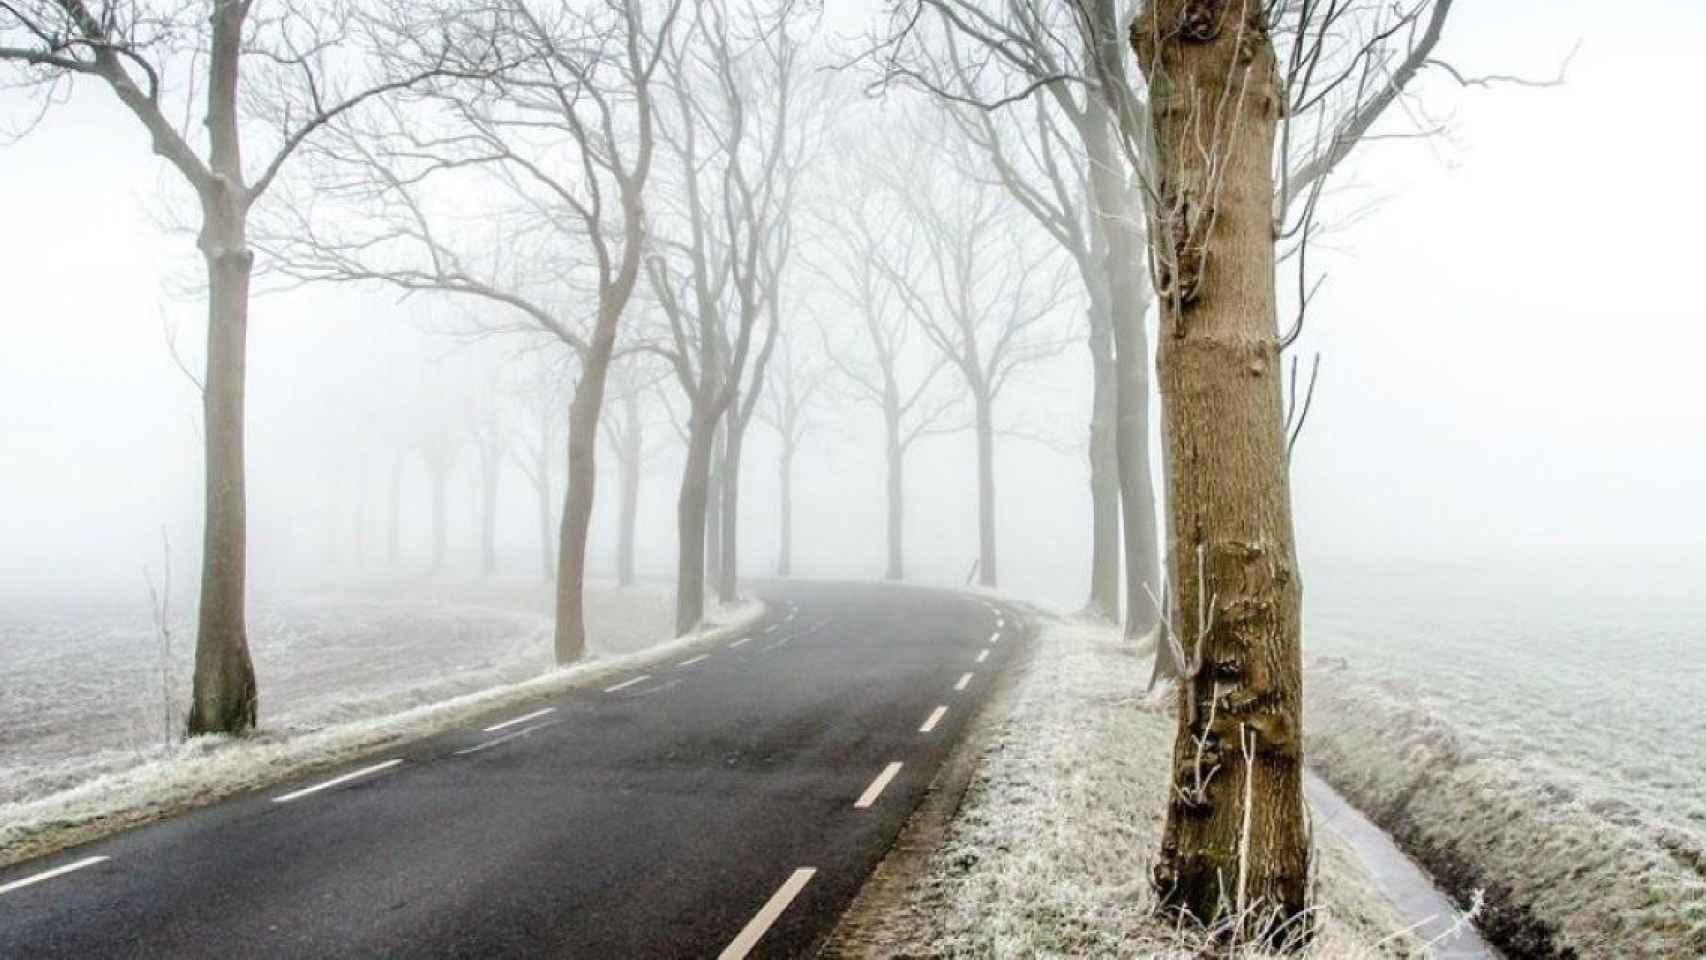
point(615, 183)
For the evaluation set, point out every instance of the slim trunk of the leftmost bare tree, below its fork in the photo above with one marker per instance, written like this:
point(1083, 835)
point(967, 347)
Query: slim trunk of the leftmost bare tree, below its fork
point(224, 698)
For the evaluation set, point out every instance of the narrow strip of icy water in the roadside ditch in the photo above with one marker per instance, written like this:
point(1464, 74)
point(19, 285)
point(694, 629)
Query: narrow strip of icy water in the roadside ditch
point(1400, 879)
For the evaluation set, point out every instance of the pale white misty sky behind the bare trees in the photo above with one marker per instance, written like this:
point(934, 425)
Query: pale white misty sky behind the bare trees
point(1512, 342)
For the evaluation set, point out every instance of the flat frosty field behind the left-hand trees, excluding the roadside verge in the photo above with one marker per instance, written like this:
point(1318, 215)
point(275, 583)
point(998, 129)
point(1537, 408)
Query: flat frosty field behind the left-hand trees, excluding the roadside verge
point(81, 688)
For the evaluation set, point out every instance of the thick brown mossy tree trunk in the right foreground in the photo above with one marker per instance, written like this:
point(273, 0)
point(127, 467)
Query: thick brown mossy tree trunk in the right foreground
point(1236, 836)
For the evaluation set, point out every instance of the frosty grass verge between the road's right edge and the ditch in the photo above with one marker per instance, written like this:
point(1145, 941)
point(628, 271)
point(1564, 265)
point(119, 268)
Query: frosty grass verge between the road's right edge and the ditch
point(1052, 848)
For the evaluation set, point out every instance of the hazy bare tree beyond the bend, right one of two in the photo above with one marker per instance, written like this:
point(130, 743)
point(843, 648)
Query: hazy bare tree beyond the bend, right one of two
point(985, 299)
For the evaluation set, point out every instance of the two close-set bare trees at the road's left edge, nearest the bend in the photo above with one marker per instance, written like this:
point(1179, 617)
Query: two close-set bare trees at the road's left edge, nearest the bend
point(734, 81)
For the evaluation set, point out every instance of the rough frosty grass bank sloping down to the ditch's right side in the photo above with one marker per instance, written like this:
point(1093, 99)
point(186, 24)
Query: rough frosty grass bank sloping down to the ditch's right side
point(1569, 869)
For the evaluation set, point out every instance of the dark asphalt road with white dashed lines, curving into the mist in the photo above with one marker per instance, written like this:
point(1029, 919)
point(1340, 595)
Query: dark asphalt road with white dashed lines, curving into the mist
point(728, 806)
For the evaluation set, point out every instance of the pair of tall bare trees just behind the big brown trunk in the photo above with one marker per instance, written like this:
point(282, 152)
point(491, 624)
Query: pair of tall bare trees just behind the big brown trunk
point(1060, 67)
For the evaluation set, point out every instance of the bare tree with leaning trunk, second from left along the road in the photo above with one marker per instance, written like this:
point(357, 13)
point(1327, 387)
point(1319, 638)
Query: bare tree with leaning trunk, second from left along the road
point(567, 129)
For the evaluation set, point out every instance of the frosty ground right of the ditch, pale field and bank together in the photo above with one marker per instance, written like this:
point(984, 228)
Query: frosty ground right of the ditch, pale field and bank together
point(1531, 731)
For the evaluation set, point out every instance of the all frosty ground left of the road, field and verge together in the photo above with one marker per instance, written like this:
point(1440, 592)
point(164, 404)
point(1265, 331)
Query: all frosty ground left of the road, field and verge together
point(340, 671)
